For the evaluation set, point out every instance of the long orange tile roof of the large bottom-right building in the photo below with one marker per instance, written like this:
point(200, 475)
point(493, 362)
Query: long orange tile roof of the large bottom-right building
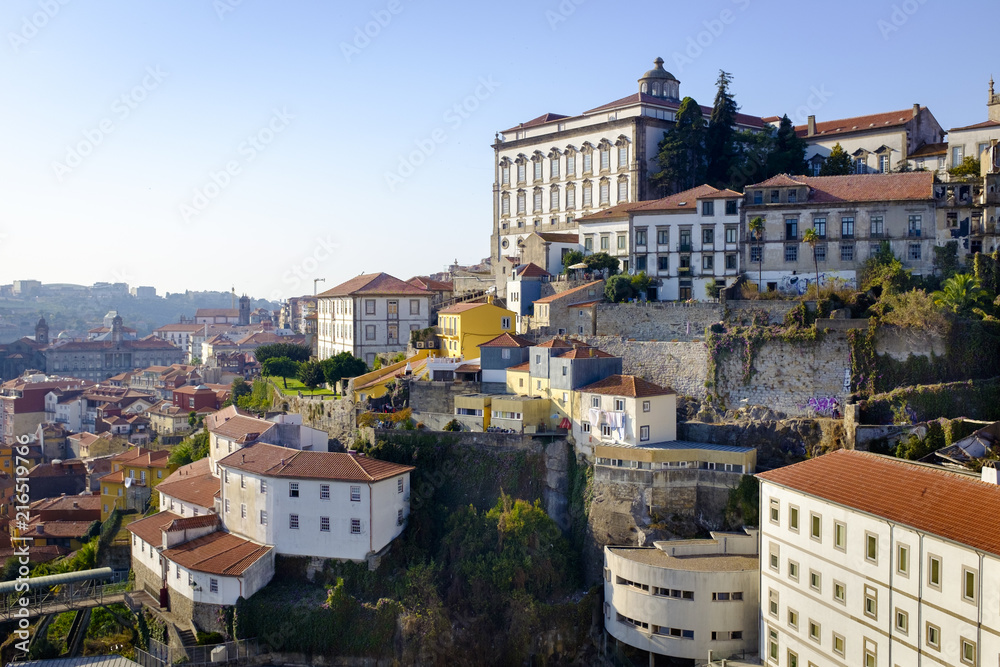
point(929, 499)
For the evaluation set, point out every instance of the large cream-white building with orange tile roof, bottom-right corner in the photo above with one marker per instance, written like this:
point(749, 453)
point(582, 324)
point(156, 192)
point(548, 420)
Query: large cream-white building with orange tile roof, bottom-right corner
point(871, 560)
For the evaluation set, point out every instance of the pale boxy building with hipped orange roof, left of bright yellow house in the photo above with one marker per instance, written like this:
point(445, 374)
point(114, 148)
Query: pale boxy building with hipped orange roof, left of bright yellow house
point(369, 315)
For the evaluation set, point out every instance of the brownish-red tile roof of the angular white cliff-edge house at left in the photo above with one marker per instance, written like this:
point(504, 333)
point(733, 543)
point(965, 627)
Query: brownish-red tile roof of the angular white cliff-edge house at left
point(274, 461)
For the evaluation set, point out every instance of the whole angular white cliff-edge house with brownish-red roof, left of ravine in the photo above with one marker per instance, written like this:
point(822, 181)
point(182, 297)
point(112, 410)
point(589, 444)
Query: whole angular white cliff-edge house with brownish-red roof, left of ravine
point(321, 504)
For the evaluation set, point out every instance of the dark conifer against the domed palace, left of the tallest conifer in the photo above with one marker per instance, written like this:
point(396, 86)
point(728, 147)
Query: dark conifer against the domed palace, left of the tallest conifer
point(681, 152)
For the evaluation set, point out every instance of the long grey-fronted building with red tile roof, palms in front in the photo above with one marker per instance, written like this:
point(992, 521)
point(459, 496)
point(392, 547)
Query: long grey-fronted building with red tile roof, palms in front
point(853, 215)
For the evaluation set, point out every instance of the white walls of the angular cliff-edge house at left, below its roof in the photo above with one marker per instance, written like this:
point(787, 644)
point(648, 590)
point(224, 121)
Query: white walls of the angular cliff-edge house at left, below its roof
point(319, 518)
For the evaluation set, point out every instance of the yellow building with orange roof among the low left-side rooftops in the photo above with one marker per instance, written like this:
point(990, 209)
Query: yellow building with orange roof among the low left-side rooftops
point(133, 476)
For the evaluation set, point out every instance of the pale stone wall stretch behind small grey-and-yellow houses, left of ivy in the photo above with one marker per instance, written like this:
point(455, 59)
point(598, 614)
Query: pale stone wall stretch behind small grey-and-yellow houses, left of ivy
point(681, 366)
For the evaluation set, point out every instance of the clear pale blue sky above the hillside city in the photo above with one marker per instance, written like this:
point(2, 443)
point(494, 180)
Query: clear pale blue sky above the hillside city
point(258, 144)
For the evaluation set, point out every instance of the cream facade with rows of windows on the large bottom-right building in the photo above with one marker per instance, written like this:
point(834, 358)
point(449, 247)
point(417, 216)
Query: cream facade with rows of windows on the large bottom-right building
point(840, 586)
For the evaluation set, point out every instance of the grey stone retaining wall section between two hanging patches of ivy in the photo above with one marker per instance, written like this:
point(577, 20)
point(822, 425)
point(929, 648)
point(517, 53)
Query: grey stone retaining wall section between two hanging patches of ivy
point(788, 374)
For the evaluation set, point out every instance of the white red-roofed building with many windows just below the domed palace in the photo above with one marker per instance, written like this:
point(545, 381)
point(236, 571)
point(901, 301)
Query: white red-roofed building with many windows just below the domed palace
point(685, 242)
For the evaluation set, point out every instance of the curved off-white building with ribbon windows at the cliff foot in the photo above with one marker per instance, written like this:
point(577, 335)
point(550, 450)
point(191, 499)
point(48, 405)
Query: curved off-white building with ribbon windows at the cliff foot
point(691, 599)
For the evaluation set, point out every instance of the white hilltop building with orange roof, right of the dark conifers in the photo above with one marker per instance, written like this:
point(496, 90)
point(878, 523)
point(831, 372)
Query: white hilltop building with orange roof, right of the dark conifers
point(878, 143)
